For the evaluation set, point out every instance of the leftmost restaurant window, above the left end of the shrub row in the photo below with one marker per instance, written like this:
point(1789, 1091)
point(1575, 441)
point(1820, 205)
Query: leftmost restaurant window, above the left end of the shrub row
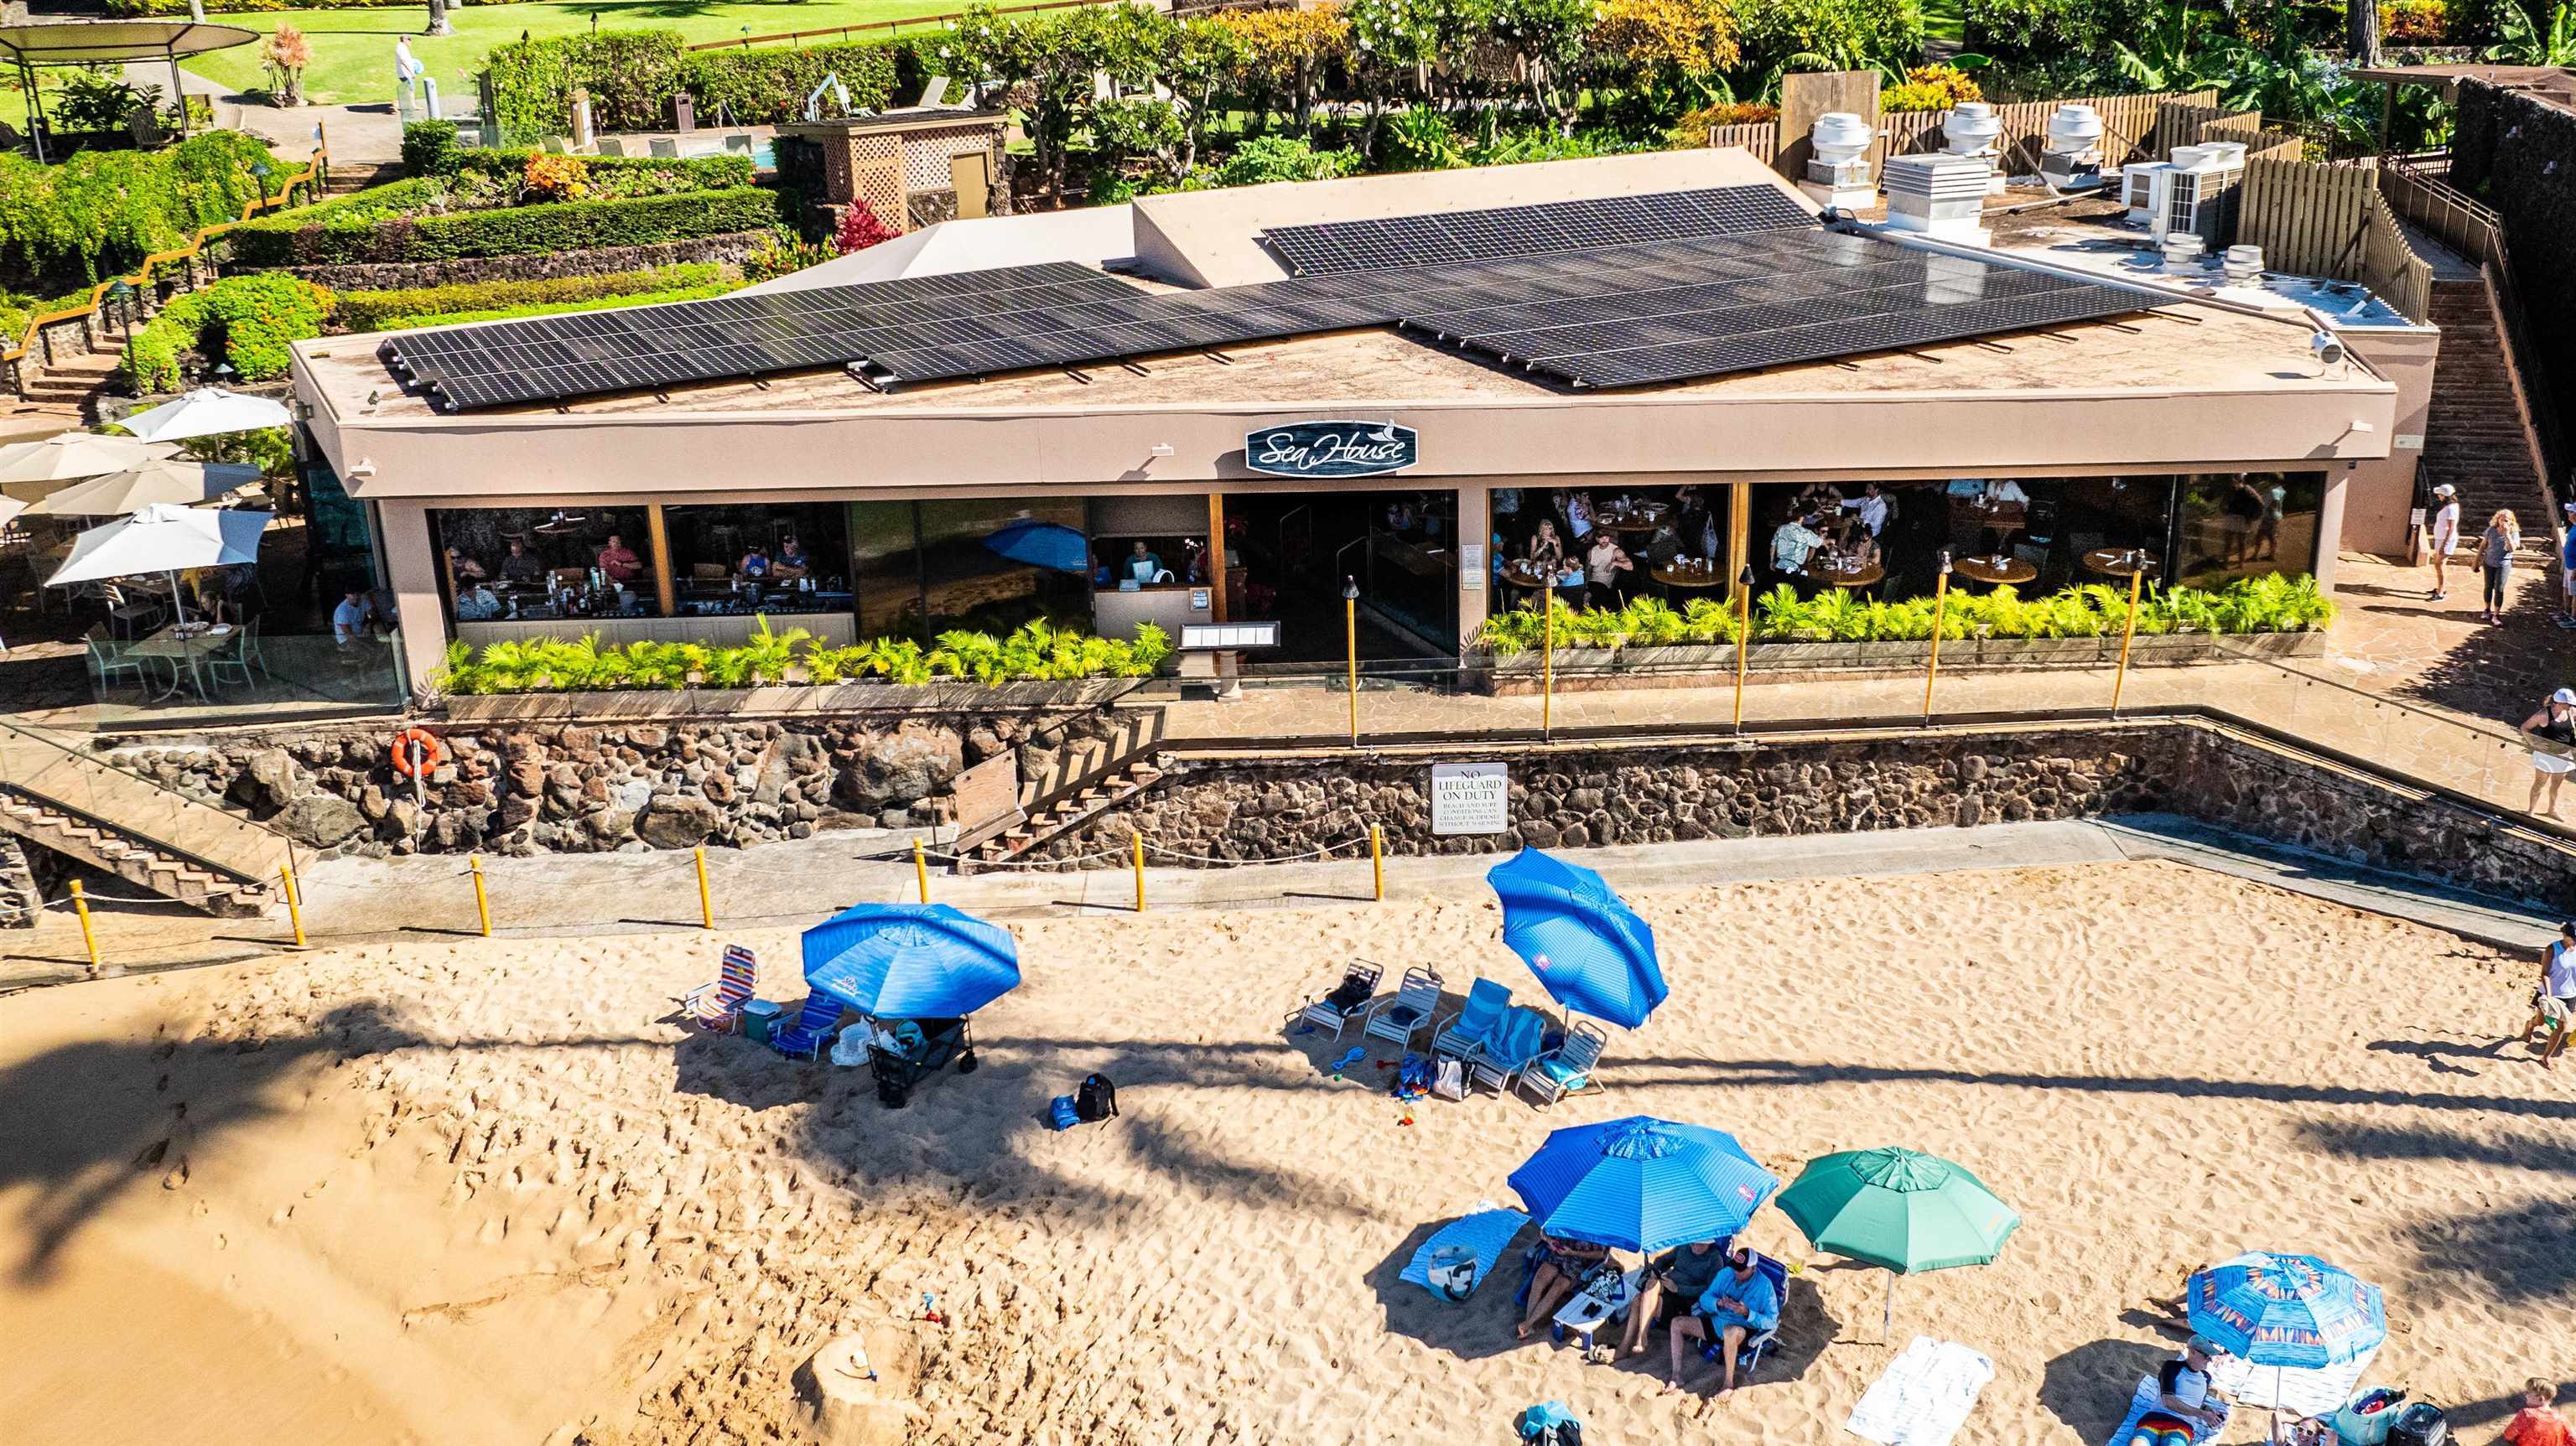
point(545, 562)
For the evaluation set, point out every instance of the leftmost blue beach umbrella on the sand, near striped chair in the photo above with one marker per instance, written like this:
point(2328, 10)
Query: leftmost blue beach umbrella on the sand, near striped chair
point(911, 961)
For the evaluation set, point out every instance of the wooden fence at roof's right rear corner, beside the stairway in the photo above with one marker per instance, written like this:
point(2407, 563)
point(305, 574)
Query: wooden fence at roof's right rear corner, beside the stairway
point(2330, 220)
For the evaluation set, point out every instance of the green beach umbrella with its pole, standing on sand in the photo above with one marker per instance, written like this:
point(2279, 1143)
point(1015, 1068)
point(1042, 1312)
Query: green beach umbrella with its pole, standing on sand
point(1900, 1211)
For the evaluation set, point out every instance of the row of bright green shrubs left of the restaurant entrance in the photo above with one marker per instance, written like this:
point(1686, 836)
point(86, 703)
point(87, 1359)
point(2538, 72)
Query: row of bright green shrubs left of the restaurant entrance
point(1037, 652)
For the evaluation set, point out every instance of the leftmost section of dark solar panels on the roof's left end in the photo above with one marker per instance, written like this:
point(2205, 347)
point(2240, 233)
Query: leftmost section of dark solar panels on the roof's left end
point(591, 354)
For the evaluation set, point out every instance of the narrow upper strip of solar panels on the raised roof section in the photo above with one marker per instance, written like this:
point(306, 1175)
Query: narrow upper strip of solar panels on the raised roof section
point(1534, 230)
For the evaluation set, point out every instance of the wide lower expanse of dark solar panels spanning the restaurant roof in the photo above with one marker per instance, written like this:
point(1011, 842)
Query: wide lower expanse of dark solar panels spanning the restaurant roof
point(1601, 315)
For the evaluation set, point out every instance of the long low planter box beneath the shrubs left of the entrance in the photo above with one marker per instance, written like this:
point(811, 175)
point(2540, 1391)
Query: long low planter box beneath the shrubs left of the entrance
point(787, 701)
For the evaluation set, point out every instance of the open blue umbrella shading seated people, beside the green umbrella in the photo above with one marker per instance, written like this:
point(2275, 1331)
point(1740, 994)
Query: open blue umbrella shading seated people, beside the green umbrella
point(1642, 1185)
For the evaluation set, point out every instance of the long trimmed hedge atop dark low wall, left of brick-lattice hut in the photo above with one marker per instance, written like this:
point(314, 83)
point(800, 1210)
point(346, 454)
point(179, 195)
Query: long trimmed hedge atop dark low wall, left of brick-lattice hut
point(516, 230)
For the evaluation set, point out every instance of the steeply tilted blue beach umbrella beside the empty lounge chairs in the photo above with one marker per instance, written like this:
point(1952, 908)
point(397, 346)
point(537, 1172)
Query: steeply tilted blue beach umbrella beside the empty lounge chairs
point(1580, 940)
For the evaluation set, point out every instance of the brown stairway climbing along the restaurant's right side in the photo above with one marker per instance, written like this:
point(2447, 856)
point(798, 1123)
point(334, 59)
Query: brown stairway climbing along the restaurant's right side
point(2479, 431)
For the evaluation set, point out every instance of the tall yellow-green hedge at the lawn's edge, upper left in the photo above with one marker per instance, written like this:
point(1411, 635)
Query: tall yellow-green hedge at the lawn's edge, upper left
point(635, 73)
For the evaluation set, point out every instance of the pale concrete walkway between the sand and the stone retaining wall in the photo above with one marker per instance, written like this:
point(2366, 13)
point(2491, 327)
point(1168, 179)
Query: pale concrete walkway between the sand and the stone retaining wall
point(429, 899)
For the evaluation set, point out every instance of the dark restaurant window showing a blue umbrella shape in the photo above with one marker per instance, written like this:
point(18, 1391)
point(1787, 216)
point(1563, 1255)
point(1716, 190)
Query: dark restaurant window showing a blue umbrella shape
point(970, 565)
